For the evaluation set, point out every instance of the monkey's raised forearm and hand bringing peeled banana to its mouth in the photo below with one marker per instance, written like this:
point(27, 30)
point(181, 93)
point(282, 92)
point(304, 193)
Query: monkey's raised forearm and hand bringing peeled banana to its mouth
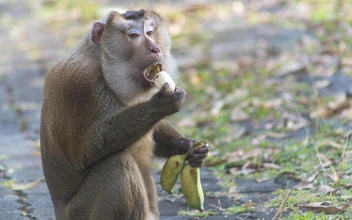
point(122, 129)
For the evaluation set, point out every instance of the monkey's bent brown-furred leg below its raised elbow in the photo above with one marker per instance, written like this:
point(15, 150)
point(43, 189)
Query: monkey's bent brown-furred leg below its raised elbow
point(113, 189)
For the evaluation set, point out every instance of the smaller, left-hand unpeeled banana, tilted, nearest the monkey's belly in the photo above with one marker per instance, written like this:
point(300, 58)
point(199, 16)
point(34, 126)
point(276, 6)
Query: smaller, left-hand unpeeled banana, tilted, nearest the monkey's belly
point(171, 169)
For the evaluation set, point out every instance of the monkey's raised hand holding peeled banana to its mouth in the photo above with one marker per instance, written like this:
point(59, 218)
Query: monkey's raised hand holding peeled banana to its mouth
point(167, 102)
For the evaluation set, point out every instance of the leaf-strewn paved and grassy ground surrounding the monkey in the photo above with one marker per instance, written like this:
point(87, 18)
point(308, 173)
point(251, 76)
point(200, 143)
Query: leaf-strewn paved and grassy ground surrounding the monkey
point(269, 86)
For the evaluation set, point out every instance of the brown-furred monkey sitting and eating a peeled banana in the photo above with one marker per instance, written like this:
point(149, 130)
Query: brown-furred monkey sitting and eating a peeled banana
point(103, 120)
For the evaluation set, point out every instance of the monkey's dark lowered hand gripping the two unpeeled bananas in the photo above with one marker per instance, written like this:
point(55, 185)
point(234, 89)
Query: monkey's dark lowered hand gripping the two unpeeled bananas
point(196, 157)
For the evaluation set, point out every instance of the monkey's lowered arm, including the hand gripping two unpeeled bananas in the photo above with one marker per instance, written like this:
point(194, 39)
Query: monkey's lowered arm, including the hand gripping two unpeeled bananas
point(170, 142)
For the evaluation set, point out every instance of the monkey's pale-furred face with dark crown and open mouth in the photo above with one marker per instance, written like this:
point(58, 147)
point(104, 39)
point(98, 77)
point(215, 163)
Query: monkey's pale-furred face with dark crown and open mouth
point(132, 44)
